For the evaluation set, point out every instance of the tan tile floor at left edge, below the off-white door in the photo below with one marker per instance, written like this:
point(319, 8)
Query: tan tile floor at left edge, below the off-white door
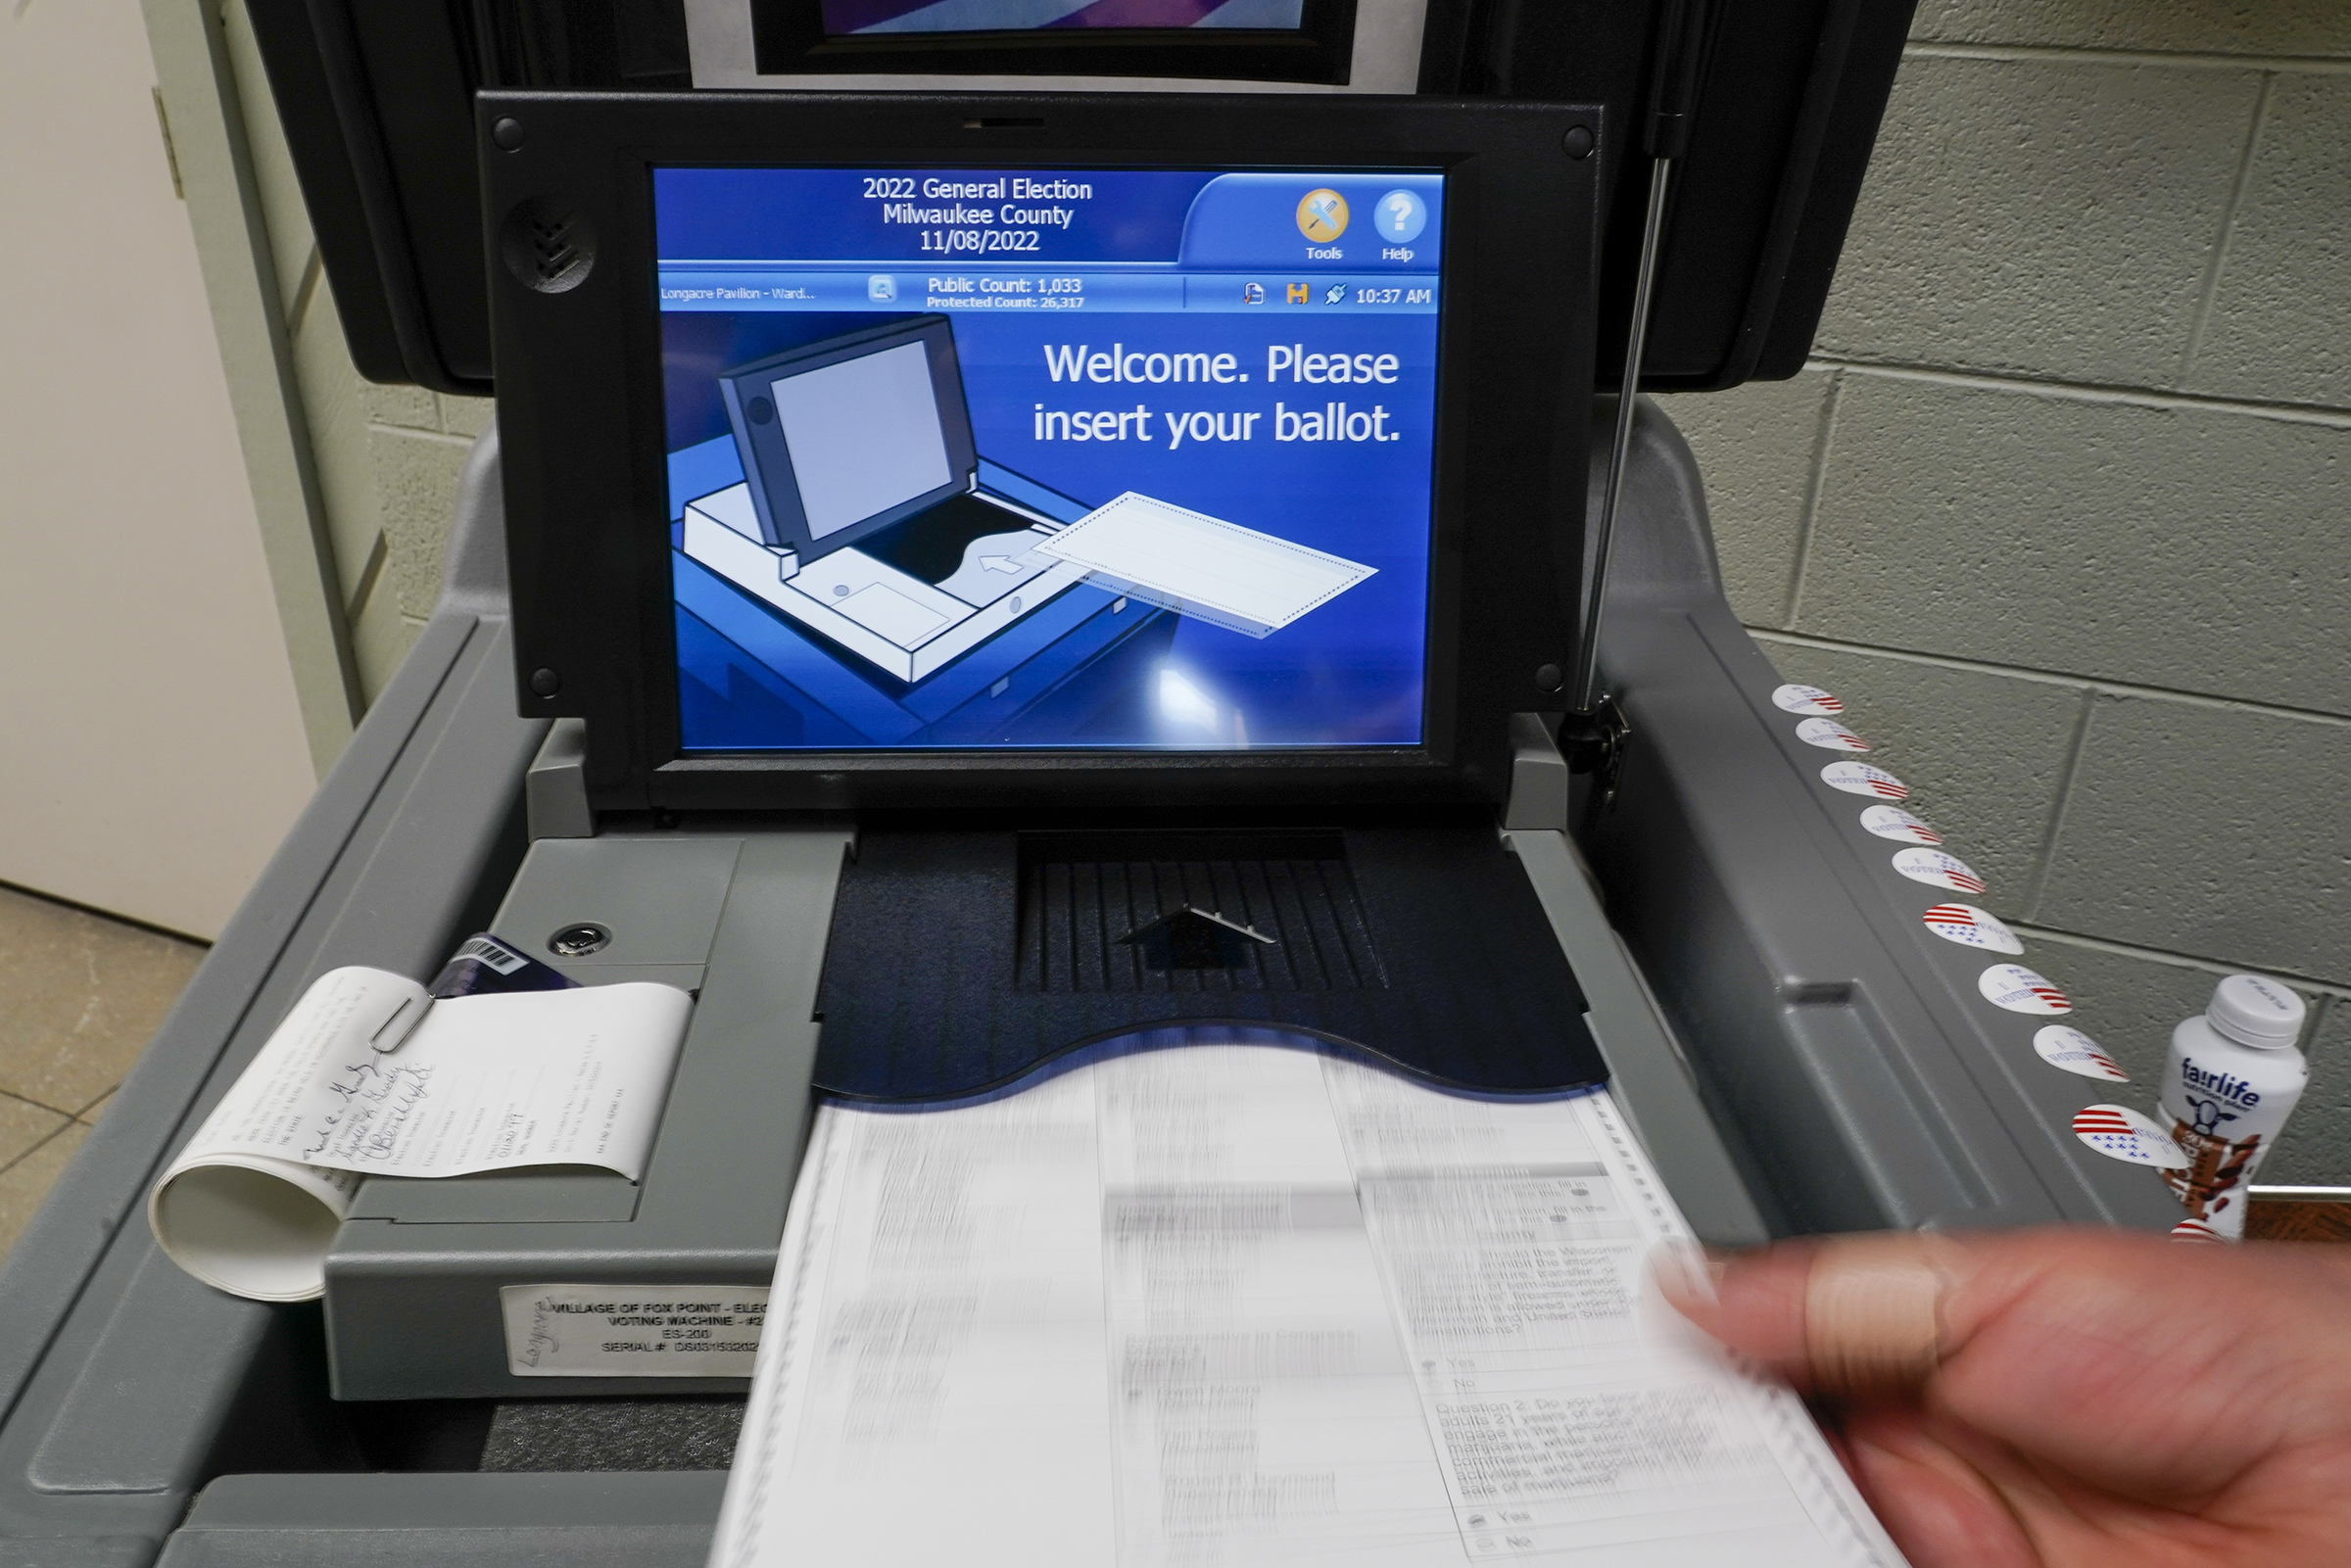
point(79, 1000)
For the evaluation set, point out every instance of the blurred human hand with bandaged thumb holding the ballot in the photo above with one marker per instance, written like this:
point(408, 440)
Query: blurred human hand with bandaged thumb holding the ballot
point(2068, 1398)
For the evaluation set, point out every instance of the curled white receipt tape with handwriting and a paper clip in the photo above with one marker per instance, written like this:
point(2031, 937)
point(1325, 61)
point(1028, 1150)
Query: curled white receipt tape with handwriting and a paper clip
point(370, 1076)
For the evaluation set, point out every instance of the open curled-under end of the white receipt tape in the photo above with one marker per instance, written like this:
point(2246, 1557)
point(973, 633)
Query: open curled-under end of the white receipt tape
point(253, 1226)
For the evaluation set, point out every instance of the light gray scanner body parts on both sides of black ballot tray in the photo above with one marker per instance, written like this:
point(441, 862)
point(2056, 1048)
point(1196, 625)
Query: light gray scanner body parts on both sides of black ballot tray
point(742, 918)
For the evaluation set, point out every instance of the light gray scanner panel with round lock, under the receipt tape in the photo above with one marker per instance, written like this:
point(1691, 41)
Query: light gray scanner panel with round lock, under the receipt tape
point(723, 1167)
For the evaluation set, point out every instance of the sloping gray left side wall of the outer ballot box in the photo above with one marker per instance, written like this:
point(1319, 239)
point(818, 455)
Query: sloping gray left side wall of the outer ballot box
point(123, 1383)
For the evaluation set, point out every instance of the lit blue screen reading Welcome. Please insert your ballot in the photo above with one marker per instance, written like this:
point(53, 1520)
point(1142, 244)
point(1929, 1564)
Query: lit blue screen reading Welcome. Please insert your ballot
point(1050, 460)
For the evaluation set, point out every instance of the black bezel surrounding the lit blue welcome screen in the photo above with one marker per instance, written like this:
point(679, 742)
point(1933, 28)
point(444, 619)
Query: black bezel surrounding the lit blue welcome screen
point(584, 453)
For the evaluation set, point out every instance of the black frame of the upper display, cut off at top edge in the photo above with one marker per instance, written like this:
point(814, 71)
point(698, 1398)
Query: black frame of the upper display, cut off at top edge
point(789, 39)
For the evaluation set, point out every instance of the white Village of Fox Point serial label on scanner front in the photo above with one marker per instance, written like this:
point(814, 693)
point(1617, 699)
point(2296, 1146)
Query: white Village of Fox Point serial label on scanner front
point(634, 1332)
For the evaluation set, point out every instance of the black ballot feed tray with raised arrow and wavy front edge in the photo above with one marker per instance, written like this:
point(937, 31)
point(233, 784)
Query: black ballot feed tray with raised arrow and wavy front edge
point(960, 960)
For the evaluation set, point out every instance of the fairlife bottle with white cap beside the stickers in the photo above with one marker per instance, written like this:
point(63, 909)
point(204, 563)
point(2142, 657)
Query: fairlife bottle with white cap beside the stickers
point(2230, 1083)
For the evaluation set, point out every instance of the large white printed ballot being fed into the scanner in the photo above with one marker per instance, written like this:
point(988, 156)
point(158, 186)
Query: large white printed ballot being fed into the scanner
point(1254, 1306)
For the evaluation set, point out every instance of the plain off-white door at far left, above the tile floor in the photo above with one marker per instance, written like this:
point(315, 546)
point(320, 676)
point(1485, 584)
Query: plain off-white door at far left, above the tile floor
point(152, 749)
